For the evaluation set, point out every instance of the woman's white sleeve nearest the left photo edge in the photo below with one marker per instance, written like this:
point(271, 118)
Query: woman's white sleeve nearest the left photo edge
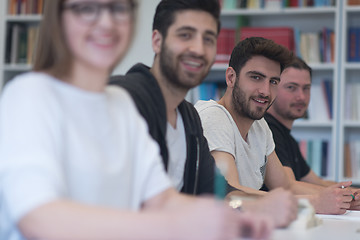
point(29, 175)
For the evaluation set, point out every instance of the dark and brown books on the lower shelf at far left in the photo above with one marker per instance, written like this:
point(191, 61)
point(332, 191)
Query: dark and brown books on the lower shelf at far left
point(20, 43)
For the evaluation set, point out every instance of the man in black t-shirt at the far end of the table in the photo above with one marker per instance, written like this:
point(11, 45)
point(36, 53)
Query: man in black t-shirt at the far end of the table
point(291, 103)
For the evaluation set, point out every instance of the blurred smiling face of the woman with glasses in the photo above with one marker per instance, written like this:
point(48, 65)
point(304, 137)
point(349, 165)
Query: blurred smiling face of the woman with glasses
point(98, 45)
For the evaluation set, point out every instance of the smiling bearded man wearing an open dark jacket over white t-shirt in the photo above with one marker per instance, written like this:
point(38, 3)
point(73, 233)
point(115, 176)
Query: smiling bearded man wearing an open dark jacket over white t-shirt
point(184, 41)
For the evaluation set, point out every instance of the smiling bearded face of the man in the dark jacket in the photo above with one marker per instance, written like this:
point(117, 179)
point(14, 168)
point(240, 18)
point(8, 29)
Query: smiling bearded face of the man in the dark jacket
point(188, 51)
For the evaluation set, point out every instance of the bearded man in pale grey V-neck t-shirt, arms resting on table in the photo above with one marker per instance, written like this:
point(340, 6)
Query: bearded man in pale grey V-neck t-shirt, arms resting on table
point(240, 138)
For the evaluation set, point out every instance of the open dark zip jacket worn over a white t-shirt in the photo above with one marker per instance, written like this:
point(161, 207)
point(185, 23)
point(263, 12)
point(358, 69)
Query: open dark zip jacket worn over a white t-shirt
point(198, 173)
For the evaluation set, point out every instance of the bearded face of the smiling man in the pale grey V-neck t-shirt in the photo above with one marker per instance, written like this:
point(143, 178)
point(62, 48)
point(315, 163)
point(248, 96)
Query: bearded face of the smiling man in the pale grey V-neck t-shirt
point(256, 87)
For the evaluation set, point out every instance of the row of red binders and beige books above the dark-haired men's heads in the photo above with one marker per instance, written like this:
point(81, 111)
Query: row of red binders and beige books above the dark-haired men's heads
point(312, 47)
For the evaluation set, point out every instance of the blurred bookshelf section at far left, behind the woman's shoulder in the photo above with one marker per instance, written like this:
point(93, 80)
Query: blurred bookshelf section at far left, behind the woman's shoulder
point(19, 21)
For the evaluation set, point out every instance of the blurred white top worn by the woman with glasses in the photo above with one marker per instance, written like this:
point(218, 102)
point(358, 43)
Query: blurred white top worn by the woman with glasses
point(58, 141)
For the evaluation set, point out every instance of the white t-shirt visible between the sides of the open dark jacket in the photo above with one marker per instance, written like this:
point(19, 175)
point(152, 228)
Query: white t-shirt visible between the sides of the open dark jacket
point(176, 142)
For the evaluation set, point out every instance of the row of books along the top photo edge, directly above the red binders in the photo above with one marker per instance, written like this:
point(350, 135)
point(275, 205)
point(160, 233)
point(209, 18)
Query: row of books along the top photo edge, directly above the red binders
point(274, 4)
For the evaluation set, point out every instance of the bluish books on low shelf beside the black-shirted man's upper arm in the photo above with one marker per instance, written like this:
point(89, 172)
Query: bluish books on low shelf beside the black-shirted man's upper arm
point(317, 154)
